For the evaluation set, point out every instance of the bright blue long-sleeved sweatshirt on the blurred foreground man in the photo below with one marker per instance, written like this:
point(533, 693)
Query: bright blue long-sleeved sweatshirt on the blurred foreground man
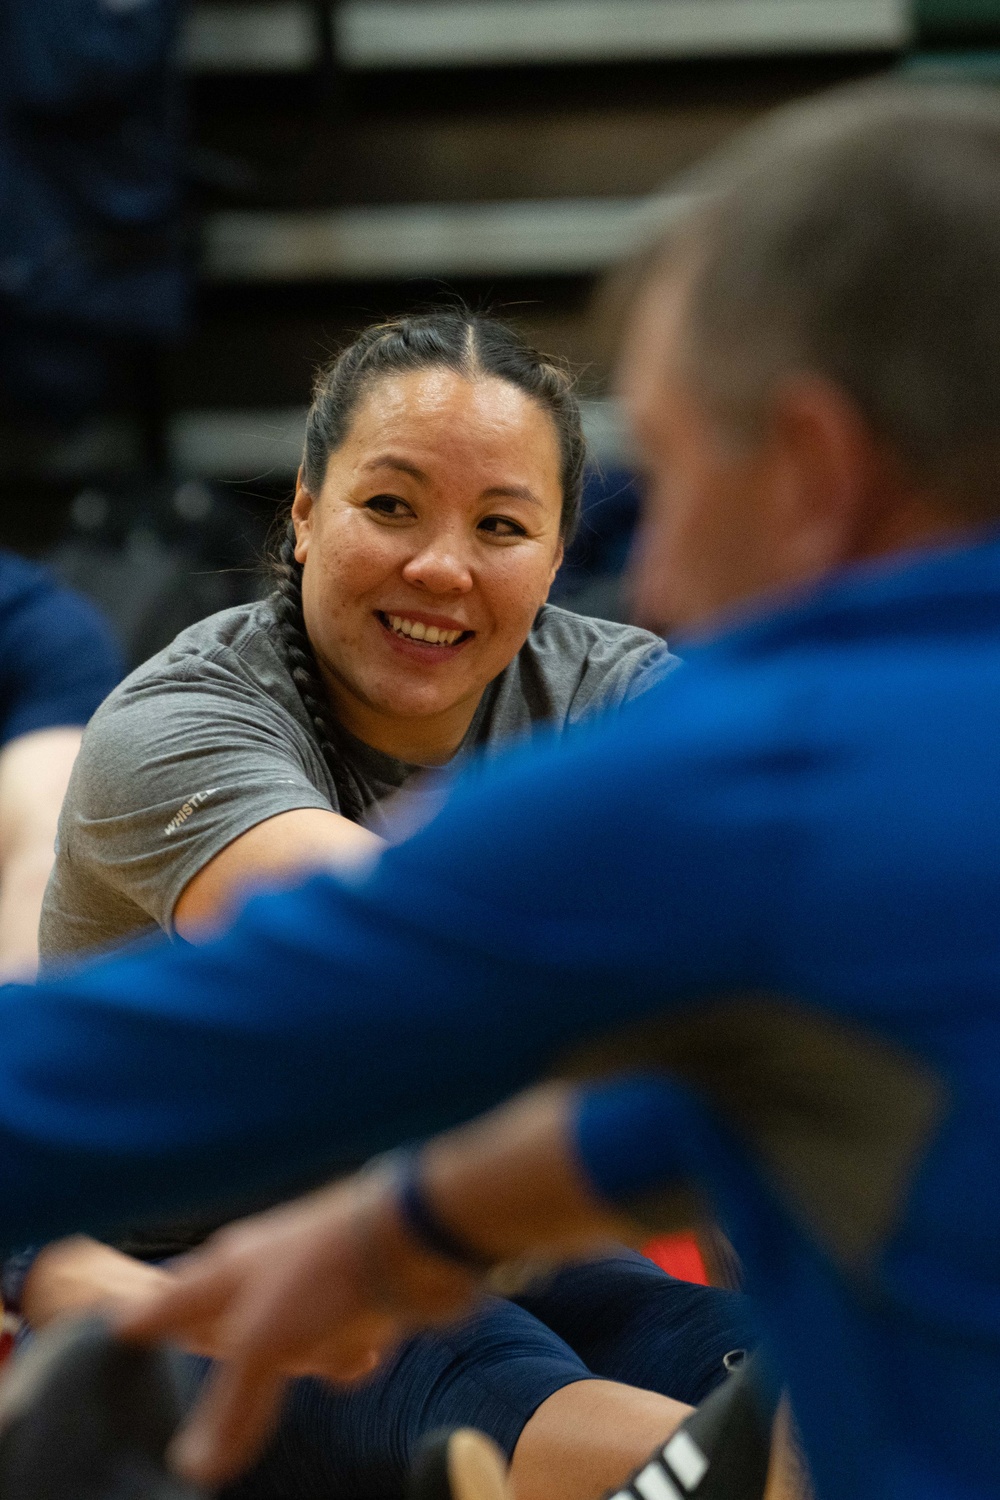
point(761, 905)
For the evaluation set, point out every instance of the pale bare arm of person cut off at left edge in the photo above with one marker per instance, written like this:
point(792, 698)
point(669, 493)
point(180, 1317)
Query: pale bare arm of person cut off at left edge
point(34, 778)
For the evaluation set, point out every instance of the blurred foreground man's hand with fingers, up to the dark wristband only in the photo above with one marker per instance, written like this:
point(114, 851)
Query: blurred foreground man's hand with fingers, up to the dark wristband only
point(322, 1288)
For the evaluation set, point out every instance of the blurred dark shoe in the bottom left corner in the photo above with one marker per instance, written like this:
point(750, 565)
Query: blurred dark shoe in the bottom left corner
point(88, 1418)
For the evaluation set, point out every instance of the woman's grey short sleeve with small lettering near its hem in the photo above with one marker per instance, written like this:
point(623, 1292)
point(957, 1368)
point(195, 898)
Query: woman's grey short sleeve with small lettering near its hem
point(172, 773)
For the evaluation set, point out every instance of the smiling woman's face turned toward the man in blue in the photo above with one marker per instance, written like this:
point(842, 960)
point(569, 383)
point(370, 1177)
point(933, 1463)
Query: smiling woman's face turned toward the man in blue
point(428, 553)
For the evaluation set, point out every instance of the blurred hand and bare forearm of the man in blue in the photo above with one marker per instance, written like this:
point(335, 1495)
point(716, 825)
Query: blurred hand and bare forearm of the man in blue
point(329, 1285)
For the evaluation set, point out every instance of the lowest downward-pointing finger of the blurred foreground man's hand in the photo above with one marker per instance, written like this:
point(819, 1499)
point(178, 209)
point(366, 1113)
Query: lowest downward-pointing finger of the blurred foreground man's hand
point(230, 1424)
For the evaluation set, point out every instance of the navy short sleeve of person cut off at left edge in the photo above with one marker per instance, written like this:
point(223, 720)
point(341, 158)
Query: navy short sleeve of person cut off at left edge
point(58, 655)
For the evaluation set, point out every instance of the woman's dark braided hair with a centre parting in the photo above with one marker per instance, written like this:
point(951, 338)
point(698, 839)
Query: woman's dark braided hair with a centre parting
point(472, 346)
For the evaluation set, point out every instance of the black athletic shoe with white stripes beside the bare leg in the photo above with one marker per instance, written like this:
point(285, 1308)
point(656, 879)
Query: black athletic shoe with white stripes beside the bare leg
point(720, 1453)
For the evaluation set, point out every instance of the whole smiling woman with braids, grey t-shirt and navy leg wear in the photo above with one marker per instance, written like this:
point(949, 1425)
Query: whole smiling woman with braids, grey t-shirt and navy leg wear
point(409, 631)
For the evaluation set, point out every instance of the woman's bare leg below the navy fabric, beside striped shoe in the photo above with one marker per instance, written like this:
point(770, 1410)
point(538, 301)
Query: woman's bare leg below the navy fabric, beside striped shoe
point(588, 1438)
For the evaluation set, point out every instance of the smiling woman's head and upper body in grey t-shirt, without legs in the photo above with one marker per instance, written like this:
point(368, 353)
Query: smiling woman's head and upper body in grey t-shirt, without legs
point(409, 631)
